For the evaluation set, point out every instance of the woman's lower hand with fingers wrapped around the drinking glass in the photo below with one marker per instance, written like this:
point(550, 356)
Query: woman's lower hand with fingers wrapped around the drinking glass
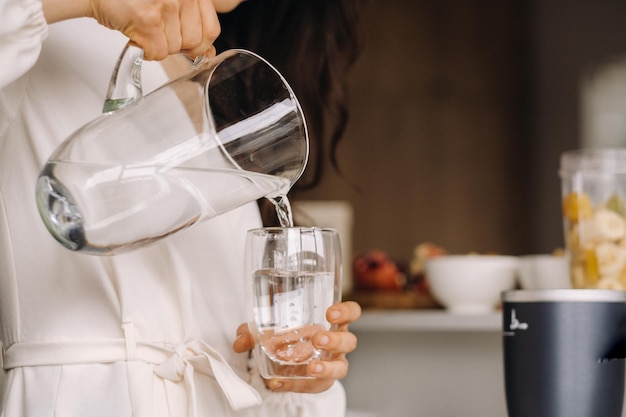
point(339, 343)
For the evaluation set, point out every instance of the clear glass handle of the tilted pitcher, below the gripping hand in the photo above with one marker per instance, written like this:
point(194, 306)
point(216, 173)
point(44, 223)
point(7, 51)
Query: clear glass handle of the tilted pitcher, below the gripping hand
point(125, 86)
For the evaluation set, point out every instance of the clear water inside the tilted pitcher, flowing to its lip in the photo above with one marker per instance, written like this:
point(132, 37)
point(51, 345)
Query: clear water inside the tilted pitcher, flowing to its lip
point(126, 206)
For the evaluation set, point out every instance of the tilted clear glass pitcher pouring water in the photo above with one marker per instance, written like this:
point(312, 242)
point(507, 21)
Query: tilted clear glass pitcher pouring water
point(228, 132)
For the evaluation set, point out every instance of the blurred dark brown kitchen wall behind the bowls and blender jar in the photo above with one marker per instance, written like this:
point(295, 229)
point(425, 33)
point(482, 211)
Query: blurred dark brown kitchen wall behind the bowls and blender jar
point(459, 111)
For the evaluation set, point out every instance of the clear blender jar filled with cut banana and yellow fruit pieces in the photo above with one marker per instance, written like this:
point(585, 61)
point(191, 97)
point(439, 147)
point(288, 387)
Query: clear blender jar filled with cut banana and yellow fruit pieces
point(594, 215)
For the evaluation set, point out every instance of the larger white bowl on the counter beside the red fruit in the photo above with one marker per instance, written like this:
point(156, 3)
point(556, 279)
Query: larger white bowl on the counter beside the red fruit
point(471, 284)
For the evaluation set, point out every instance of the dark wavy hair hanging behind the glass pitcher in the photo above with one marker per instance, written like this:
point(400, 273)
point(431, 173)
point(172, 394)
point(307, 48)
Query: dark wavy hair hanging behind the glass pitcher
point(313, 43)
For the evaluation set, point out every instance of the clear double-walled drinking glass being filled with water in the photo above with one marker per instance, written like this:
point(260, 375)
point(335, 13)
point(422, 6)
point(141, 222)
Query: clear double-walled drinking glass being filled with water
point(294, 276)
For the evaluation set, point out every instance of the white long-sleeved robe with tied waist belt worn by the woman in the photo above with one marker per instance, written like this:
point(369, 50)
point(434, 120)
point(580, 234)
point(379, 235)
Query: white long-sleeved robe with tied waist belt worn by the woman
point(147, 333)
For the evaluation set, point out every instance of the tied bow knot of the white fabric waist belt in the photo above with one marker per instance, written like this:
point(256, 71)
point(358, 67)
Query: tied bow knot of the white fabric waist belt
point(198, 356)
